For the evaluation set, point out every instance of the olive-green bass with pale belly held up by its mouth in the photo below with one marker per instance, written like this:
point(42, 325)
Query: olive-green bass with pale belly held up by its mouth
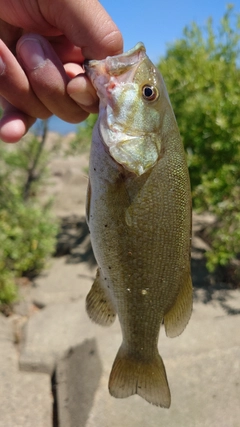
point(138, 211)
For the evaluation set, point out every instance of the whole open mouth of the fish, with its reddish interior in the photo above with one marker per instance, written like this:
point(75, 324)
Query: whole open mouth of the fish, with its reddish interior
point(100, 71)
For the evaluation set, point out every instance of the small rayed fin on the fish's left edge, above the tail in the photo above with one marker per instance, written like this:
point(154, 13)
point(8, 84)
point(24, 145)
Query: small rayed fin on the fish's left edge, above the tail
point(98, 304)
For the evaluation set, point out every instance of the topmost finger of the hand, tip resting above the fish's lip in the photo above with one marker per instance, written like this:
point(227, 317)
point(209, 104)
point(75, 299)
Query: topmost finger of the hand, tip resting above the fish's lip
point(85, 23)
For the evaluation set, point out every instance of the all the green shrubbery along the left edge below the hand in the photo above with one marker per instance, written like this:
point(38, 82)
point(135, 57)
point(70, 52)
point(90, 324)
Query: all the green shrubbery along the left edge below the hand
point(27, 228)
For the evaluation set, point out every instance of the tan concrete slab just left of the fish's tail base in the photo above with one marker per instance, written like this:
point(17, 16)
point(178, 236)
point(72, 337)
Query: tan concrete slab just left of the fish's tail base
point(52, 332)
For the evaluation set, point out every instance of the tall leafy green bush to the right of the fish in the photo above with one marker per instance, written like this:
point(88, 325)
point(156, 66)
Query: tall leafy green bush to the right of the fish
point(202, 74)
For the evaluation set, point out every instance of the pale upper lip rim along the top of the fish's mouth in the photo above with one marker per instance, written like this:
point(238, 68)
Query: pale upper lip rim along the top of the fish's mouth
point(117, 64)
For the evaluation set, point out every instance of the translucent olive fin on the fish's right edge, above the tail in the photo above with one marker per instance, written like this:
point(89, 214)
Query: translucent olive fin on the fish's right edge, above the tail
point(178, 316)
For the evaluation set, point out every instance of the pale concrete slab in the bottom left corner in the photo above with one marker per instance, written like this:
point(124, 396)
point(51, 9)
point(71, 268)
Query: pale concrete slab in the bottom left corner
point(25, 398)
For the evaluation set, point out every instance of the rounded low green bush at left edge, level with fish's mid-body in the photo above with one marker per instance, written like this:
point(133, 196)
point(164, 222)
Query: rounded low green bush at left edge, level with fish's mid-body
point(27, 232)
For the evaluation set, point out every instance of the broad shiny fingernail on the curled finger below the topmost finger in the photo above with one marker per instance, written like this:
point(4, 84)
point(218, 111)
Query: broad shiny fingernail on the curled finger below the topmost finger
point(31, 53)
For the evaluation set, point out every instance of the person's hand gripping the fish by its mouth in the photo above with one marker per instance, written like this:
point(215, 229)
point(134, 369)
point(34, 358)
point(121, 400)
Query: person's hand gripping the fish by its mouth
point(43, 44)
